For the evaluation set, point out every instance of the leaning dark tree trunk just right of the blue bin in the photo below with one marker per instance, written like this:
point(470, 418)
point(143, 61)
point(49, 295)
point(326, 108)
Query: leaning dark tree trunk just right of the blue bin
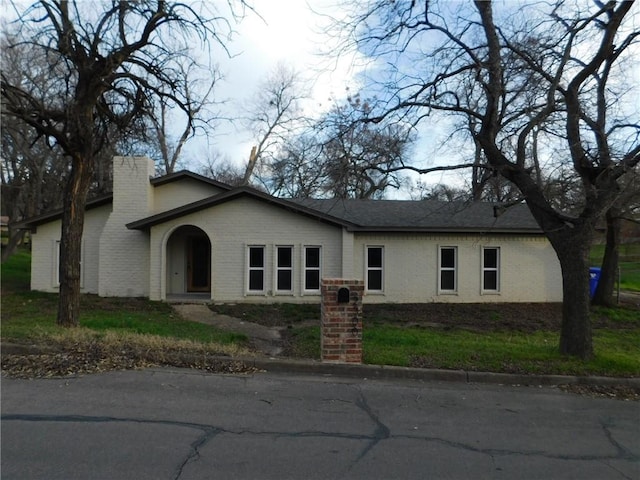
point(609, 269)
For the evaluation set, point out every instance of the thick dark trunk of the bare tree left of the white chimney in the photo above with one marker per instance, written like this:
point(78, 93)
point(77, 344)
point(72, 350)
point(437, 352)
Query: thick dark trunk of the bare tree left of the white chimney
point(71, 242)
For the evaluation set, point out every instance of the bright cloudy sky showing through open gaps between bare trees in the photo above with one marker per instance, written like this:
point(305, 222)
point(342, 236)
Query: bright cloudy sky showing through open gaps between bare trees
point(289, 32)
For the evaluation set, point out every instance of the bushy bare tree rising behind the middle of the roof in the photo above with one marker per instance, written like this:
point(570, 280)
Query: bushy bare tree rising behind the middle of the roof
point(341, 157)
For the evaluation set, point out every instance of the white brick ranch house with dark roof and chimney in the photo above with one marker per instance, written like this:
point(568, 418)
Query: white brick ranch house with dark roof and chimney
point(184, 234)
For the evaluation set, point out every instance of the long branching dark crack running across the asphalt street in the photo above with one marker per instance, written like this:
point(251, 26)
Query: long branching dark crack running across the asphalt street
point(382, 432)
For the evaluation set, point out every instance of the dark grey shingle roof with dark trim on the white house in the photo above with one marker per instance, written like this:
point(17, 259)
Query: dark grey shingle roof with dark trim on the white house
point(354, 215)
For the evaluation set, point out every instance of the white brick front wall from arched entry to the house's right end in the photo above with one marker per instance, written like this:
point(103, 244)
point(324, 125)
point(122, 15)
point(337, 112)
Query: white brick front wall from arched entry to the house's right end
point(529, 271)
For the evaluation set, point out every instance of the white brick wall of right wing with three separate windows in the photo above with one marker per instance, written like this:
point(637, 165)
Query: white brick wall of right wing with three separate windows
point(529, 269)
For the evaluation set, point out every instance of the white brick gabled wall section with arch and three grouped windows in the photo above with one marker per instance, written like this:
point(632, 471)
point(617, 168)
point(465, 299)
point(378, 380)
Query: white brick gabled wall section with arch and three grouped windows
point(233, 226)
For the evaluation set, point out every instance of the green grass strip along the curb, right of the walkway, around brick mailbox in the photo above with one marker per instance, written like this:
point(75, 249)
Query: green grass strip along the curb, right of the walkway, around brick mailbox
point(617, 351)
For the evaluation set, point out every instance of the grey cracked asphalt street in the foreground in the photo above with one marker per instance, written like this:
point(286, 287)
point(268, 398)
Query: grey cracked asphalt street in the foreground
point(182, 424)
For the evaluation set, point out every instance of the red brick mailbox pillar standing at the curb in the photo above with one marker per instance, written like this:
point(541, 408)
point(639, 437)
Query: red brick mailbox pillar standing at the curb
point(341, 310)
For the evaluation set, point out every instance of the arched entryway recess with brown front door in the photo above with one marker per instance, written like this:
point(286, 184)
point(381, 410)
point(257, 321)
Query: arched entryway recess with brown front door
point(188, 262)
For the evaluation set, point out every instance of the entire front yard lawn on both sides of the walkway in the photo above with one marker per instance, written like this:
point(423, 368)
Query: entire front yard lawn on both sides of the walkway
point(480, 344)
